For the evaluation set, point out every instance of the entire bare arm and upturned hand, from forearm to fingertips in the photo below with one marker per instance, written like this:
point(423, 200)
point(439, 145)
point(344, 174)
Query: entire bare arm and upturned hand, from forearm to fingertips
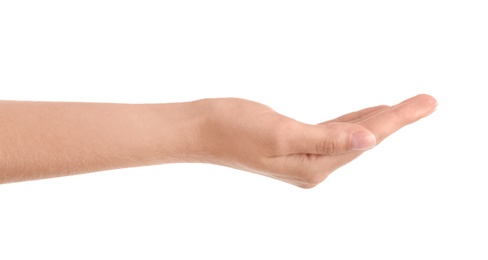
point(51, 139)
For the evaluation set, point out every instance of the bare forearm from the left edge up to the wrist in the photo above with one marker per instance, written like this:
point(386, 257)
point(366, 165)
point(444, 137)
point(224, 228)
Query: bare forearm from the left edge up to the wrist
point(50, 139)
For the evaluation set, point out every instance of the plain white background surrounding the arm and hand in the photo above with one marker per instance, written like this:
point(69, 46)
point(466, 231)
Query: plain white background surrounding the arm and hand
point(421, 194)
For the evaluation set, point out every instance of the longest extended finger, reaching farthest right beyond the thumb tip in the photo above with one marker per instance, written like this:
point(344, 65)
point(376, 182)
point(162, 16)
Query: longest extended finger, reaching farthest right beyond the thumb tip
point(392, 119)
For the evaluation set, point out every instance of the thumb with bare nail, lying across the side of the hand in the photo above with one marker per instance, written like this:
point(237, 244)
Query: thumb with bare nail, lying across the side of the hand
point(333, 139)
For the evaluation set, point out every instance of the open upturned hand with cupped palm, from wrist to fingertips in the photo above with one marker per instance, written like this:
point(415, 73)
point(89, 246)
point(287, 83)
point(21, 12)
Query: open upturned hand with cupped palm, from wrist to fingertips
point(252, 137)
